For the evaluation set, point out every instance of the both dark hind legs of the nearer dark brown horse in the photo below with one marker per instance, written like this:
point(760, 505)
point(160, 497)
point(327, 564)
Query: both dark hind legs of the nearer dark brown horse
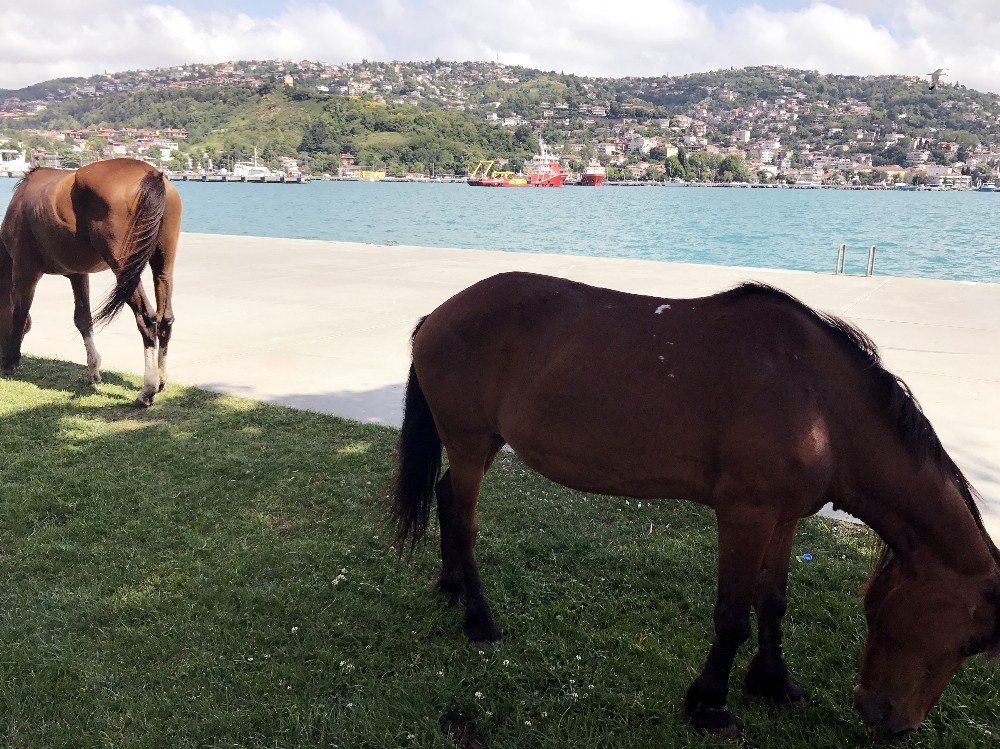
point(458, 532)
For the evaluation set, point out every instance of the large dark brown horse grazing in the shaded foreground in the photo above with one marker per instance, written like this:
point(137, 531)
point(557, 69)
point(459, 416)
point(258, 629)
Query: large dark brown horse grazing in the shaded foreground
point(748, 402)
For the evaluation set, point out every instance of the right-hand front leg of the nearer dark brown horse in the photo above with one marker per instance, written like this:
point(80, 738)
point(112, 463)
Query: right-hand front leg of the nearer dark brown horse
point(767, 676)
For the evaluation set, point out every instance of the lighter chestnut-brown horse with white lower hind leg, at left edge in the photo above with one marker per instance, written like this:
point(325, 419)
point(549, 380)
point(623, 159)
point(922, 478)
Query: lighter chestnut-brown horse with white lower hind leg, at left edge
point(120, 214)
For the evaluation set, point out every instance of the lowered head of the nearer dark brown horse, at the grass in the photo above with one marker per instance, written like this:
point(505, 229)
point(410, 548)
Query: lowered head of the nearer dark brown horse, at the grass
point(920, 629)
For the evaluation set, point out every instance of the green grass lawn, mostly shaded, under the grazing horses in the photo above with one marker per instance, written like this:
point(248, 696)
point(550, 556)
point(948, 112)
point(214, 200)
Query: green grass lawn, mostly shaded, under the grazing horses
point(214, 572)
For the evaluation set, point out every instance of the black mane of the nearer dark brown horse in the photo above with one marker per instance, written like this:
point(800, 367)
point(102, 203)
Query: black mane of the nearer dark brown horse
point(908, 417)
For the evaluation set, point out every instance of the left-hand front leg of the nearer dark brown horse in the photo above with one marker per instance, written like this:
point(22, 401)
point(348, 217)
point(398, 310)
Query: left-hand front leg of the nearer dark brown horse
point(743, 539)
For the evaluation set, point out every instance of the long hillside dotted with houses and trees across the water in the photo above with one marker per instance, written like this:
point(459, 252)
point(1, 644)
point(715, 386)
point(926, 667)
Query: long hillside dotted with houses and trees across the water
point(442, 116)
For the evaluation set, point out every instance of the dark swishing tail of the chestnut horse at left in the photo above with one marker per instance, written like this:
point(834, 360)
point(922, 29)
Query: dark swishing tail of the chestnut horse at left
point(141, 241)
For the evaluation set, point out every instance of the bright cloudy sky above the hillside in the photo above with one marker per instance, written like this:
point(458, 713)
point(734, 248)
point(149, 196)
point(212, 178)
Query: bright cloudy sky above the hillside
point(44, 39)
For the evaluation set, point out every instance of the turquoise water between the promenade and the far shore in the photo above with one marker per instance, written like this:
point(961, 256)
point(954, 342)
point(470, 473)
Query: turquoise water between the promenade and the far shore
point(928, 234)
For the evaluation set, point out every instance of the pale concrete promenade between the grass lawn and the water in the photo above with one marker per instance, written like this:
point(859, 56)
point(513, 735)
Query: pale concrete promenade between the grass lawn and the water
point(325, 326)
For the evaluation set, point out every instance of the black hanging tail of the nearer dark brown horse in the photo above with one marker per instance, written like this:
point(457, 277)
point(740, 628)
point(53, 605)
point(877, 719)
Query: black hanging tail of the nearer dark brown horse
point(419, 464)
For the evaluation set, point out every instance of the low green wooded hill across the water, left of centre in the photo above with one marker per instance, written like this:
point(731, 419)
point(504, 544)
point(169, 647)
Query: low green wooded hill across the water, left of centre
point(228, 124)
